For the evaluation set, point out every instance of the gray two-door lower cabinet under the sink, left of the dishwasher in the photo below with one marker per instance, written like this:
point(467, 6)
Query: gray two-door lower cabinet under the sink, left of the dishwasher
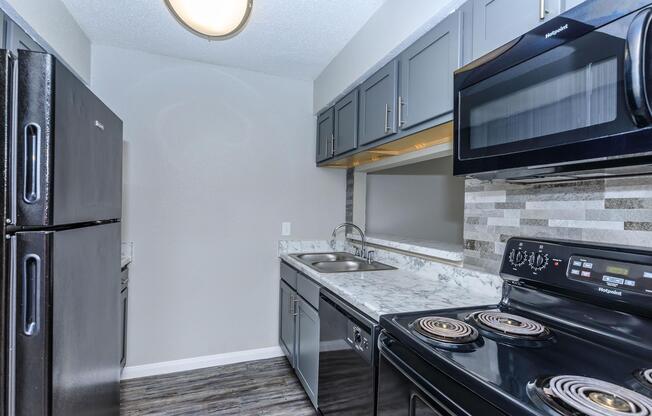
point(299, 327)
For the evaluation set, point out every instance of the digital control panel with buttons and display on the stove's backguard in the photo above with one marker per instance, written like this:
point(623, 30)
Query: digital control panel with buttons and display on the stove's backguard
point(614, 276)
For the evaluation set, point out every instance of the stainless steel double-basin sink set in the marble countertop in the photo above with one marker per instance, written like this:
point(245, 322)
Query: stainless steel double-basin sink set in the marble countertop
point(339, 263)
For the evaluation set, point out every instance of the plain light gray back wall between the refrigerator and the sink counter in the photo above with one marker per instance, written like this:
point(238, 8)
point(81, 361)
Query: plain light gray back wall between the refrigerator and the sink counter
point(216, 158)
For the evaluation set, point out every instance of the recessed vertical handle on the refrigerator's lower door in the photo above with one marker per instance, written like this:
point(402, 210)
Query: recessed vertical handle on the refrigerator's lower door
point(31, 281)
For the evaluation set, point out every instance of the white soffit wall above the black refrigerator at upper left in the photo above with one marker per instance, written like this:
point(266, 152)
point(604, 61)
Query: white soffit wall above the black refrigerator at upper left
point(52, 25)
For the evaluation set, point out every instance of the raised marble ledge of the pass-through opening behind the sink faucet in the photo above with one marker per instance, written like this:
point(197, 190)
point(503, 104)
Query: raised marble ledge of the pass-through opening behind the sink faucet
point(431, 248)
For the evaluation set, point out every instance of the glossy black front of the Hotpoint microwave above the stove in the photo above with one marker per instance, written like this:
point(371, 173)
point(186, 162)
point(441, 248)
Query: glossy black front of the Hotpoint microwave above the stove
point(584, 99)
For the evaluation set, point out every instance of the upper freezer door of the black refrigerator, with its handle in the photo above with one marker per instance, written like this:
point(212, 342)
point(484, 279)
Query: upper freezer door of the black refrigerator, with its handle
point(69, 148)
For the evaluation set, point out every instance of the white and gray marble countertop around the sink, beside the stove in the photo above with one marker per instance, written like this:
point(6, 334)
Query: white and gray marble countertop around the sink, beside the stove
point(418, 285)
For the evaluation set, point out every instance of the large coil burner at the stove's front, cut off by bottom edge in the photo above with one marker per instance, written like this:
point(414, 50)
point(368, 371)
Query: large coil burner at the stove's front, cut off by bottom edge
point(576, 395)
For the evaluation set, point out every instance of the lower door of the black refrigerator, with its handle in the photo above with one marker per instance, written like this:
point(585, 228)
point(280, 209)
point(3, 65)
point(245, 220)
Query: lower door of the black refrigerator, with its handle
point(67, 356)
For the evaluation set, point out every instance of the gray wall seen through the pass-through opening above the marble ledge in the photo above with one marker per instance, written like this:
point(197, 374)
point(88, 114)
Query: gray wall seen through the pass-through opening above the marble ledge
point(421, 201)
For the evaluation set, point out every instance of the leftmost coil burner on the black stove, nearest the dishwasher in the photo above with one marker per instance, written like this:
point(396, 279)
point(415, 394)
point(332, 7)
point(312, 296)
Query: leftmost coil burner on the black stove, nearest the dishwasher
point(446, 332)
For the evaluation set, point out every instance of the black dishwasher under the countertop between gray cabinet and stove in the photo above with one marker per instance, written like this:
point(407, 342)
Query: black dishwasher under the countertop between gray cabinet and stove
point(347, 359)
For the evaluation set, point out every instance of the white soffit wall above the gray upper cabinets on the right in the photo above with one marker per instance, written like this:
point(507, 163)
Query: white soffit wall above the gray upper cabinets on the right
point(396, 24)
